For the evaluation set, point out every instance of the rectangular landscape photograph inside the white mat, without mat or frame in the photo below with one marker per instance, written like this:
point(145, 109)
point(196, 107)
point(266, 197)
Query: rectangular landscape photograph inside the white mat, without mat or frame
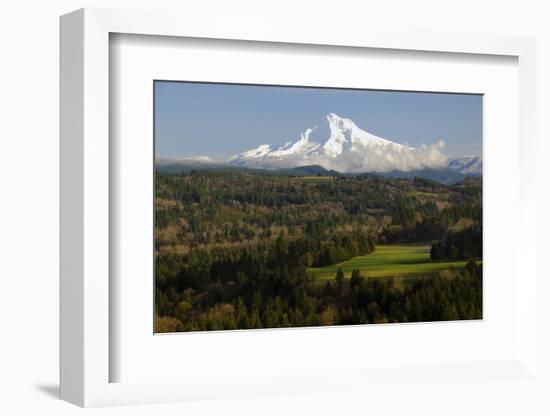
point(333, 226)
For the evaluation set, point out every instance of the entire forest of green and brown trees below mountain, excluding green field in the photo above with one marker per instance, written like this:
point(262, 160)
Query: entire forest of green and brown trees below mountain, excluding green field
point(233, 246)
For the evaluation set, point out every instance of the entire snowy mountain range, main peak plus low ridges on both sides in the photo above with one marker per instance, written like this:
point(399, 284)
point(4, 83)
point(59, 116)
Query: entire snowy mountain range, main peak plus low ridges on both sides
point(338, 144)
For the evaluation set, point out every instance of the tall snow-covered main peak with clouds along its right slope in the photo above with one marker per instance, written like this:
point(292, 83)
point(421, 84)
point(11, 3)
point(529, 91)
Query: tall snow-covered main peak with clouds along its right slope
point(339, 144)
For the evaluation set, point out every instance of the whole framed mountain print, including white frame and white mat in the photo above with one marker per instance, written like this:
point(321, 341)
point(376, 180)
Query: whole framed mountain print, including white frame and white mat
point(280, 213)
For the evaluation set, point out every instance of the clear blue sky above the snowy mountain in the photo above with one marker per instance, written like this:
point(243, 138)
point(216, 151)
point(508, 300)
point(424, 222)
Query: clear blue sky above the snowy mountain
point(220, 120)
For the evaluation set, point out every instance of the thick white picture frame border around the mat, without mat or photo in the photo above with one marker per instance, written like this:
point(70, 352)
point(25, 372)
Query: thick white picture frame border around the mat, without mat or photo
point(85, 353)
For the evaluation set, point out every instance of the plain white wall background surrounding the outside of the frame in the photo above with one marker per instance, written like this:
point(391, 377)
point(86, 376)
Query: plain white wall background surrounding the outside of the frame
point(29, 206)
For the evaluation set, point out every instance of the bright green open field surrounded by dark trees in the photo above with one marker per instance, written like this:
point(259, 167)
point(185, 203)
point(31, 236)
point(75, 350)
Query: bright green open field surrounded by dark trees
point(389, 260)
